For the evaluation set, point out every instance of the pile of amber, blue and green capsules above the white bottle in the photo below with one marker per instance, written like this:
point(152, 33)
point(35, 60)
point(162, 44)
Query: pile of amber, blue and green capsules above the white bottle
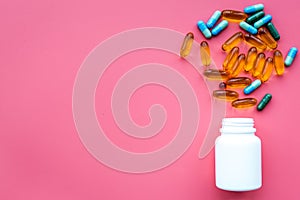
point(261, 35)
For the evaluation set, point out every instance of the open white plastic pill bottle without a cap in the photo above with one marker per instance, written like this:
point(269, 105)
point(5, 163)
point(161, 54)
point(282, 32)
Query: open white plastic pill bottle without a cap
point(238, 156)
